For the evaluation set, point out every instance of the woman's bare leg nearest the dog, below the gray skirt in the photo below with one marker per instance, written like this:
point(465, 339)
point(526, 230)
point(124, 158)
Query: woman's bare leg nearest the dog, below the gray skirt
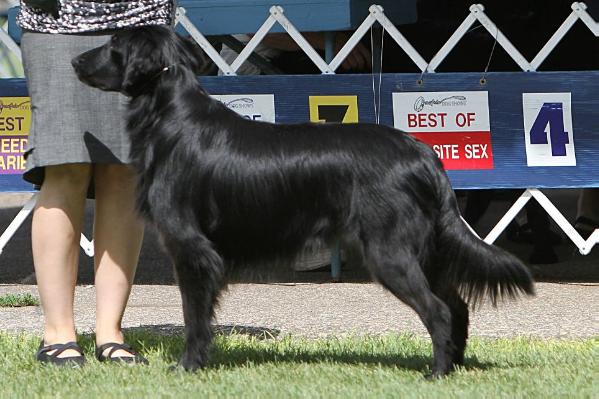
point(118, 233)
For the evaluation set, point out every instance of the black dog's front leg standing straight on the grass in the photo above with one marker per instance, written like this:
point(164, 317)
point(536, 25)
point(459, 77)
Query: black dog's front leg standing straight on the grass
point(200, 272)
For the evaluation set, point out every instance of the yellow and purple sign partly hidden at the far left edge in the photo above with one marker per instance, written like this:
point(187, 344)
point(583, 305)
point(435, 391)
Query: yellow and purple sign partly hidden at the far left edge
point(15, 120)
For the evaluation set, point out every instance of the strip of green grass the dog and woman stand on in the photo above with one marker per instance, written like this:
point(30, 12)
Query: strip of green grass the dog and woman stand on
point(391, 366)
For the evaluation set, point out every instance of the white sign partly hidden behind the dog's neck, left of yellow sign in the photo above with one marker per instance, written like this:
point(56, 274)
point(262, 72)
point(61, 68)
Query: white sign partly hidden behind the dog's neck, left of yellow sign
point(257, 107)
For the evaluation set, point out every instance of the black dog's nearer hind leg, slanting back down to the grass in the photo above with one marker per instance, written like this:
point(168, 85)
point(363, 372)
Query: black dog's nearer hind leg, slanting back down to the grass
point(401, 274)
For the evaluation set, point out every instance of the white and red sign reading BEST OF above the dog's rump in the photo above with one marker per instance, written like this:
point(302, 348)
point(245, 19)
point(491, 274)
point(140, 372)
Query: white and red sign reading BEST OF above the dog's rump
point(455, 124)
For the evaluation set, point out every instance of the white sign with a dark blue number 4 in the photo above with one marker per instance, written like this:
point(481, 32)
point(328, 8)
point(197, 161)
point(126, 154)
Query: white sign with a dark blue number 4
point(548, 129)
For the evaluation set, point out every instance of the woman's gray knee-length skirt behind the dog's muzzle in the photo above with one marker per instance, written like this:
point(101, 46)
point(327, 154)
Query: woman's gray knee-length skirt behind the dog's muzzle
point(71, 122)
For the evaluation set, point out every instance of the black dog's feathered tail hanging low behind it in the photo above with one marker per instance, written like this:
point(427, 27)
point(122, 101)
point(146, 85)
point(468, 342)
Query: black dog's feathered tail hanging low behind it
point(478, 269)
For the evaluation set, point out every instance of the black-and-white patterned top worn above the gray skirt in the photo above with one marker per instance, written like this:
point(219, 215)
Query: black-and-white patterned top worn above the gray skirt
point(91, 16)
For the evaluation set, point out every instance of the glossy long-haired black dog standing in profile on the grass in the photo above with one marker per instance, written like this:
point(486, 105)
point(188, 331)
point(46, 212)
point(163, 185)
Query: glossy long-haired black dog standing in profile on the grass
point(224, 191)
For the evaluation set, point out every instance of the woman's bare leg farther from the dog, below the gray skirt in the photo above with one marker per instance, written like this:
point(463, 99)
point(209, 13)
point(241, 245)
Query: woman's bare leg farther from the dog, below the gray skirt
point(55, 231)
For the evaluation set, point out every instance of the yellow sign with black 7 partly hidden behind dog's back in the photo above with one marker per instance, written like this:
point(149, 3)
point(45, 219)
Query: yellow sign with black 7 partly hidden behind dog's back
point(343, 109)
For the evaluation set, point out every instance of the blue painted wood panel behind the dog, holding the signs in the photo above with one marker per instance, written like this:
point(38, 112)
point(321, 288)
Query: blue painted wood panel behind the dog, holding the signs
point(504, 89)
